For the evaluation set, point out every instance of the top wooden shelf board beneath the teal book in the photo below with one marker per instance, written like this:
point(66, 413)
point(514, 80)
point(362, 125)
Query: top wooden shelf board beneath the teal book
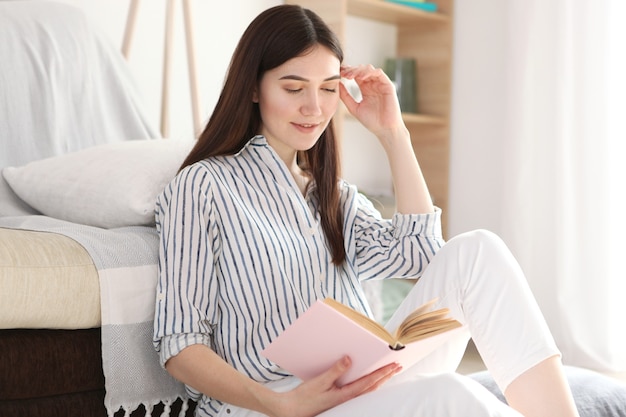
point(393, 13)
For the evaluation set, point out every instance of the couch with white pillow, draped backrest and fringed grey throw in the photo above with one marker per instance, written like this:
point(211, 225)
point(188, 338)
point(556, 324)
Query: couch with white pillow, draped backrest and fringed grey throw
point(81, 167)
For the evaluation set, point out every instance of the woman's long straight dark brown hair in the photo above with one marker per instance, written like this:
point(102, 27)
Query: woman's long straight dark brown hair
point(277, 35)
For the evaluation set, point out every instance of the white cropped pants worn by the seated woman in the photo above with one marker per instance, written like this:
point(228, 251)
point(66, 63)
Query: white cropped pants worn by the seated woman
point(475, 276)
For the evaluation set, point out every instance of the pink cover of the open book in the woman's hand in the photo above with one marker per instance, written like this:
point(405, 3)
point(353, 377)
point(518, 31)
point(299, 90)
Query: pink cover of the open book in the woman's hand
point(322, 336)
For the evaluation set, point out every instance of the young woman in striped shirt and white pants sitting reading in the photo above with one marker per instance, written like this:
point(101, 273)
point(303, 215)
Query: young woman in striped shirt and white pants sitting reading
point(257, 226)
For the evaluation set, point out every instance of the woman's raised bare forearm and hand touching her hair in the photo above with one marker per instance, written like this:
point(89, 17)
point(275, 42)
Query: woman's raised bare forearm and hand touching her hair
point(379, 111)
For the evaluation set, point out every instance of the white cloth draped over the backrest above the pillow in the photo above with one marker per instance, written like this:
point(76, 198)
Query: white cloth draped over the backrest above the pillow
point(63, 85)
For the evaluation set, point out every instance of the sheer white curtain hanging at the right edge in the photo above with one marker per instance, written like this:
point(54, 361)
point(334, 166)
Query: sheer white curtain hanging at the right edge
point(563, 203)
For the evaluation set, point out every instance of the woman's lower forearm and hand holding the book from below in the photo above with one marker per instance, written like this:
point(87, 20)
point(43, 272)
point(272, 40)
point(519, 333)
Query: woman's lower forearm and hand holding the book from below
point(201, 368)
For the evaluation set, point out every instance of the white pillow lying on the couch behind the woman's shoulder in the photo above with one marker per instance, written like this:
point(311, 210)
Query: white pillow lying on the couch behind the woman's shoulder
point(111, 185)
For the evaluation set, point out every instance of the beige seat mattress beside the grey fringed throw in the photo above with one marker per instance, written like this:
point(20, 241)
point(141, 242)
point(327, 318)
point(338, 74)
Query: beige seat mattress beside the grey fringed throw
point(48, 280)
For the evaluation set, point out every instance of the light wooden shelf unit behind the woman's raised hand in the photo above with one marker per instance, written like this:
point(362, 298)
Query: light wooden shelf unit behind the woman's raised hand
point(427, 37)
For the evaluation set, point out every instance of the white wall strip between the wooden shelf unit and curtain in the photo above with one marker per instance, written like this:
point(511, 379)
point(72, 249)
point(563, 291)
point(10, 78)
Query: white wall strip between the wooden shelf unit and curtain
point(478, 80)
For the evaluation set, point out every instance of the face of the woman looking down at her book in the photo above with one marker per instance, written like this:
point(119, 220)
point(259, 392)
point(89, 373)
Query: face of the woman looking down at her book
point(298, 99)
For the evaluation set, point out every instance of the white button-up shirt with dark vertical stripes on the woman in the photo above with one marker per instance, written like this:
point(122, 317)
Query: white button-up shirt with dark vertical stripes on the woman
point(243, 254)
